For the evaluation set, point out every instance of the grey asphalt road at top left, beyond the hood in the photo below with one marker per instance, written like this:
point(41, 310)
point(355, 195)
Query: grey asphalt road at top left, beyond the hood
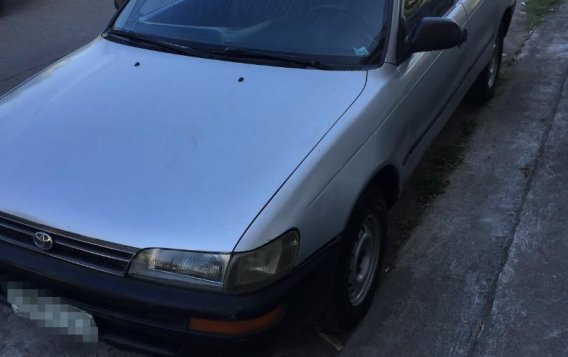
point(35, 33)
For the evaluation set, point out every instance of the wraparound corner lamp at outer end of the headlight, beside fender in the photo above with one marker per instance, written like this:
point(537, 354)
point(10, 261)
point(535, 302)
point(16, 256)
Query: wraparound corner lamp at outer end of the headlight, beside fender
point(256, 269)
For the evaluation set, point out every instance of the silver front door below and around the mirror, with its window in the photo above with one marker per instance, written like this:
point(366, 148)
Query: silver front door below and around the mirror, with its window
point(430, 78)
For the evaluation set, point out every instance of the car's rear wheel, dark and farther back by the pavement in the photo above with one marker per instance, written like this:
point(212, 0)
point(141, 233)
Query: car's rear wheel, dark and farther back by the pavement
point(484, 87)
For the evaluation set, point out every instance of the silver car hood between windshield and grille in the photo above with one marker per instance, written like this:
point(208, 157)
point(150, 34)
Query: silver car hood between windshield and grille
point(149, 149)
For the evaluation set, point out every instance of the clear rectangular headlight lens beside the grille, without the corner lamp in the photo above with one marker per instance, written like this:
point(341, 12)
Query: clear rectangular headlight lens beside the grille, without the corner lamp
point(200, 270)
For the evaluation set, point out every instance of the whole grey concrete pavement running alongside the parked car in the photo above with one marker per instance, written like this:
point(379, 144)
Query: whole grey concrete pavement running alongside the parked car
point(486, 272)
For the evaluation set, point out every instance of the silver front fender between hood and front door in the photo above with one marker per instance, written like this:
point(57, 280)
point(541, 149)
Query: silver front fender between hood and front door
point(319, 196)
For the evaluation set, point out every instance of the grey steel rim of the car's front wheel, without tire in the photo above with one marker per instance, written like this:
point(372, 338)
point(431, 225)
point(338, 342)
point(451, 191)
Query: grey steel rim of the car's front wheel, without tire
point(364, 260)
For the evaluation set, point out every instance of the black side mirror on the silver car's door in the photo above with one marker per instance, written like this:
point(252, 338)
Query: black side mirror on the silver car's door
point(435, 34)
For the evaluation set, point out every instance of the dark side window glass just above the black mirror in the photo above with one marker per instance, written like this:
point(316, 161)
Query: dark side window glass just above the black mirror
point(414, 10)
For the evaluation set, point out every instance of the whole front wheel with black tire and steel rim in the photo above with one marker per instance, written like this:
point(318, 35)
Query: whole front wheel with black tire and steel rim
point(361, 253)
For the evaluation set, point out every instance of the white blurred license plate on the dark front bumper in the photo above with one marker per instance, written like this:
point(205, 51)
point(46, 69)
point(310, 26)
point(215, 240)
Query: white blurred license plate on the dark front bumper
point(51, 313)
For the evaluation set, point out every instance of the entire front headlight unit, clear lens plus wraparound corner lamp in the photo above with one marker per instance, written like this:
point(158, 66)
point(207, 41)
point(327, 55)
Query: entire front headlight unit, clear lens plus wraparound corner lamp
point(241, 272)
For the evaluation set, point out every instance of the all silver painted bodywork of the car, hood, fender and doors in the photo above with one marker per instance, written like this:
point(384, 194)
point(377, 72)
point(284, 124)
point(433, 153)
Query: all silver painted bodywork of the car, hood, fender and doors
point(177, 153)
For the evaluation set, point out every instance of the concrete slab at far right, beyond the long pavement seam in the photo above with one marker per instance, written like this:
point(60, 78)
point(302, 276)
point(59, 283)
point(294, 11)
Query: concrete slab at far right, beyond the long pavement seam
point(529, 315)
